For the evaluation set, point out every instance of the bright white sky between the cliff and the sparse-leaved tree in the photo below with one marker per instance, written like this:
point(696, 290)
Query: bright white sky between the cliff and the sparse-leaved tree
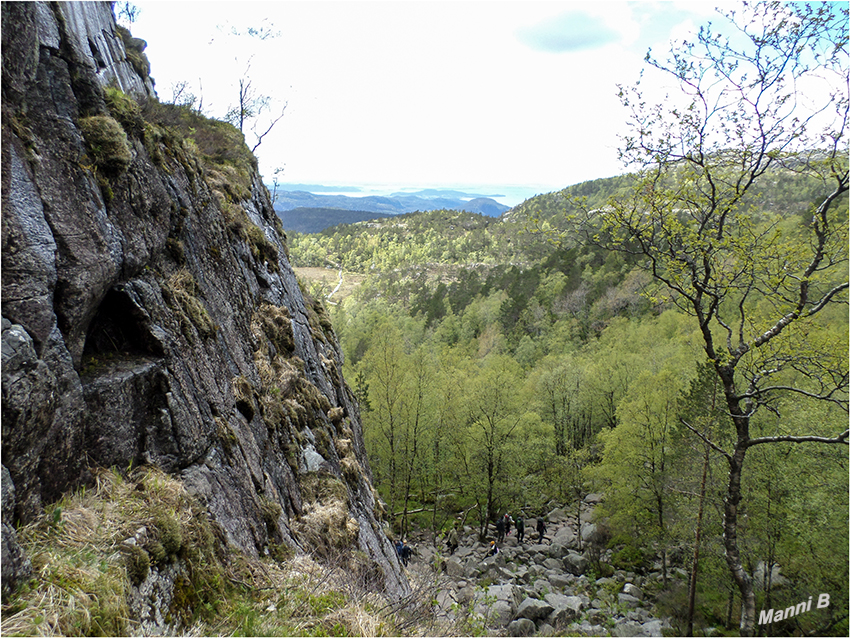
point(464, 94)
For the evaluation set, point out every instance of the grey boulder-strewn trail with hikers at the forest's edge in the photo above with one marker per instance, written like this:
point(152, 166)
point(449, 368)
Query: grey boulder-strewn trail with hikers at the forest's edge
point(537, 587)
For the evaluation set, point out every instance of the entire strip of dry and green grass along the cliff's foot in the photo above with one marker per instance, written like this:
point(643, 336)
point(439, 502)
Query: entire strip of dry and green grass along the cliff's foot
point(81, 584)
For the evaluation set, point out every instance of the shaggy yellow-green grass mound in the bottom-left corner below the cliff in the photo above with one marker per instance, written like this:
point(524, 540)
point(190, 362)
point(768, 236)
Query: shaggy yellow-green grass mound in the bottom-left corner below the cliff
point(81, 580)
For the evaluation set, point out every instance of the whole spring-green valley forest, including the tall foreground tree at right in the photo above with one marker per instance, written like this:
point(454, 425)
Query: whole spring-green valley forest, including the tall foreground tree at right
point(674, 338)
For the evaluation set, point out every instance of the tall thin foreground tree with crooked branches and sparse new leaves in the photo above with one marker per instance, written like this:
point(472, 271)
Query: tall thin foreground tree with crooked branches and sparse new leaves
point(773, 94)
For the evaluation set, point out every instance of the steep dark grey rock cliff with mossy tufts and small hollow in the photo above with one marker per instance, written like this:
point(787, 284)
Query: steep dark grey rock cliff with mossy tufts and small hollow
point(150, 314)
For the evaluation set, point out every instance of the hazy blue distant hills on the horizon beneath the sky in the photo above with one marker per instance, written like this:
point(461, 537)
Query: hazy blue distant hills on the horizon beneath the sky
point(395, 204)
